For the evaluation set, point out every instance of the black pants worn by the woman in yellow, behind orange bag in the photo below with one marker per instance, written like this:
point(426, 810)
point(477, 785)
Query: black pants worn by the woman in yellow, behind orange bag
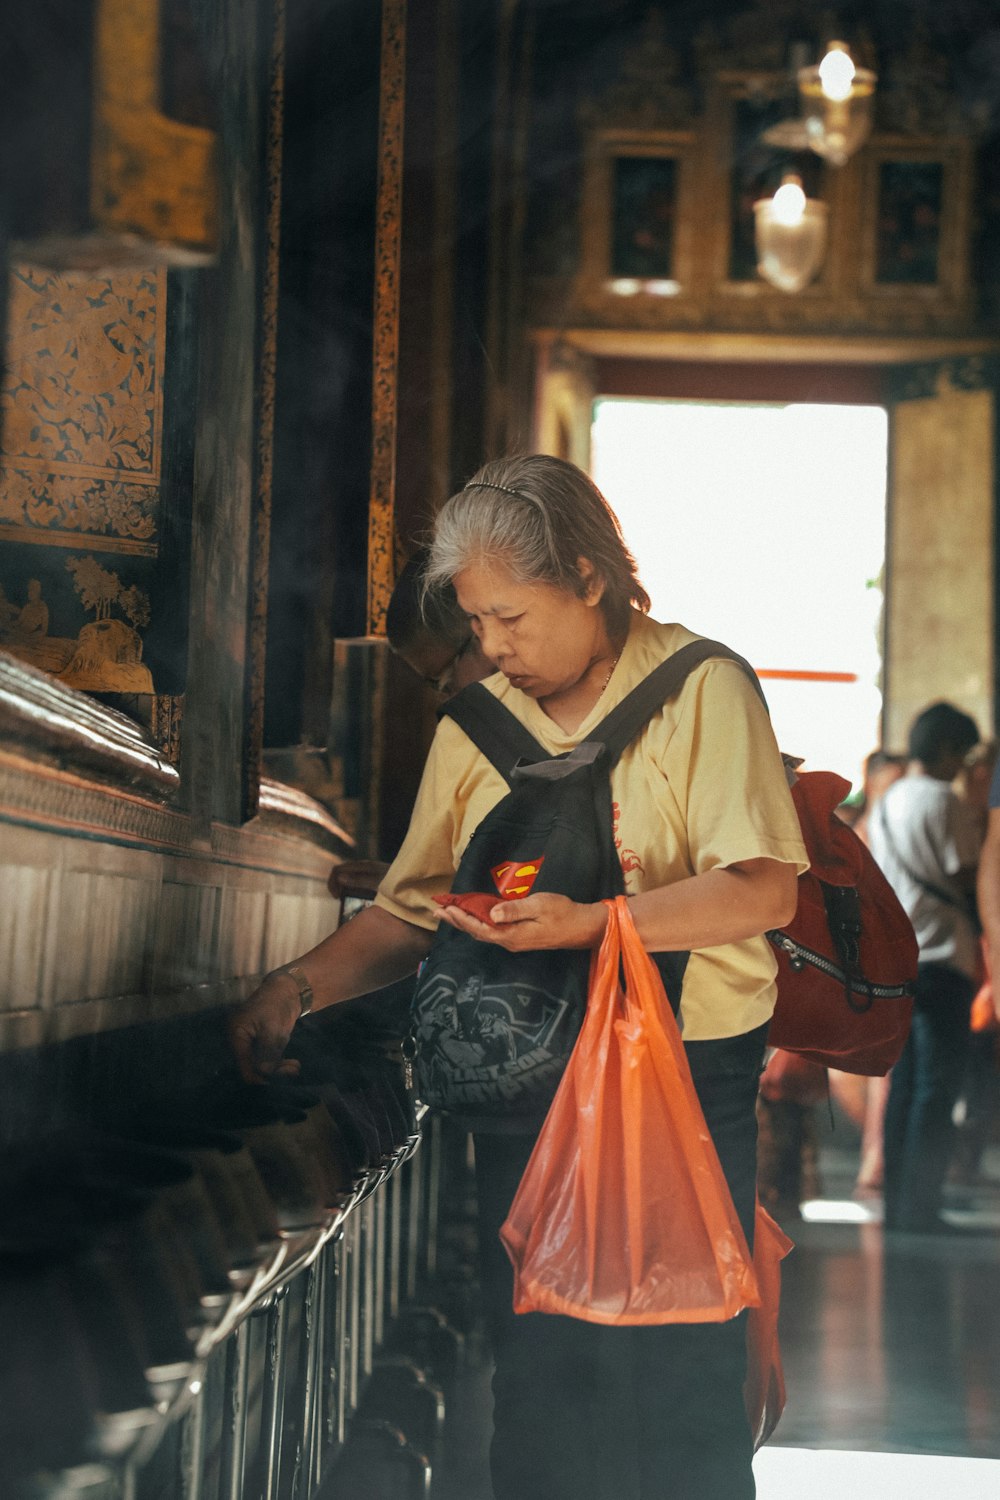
point(584, 1412)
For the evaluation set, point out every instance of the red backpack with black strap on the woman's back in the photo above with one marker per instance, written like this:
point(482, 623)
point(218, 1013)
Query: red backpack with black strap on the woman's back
point(848, 959)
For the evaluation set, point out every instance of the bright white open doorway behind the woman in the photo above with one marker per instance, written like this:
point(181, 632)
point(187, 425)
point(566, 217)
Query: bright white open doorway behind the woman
point(765, 527)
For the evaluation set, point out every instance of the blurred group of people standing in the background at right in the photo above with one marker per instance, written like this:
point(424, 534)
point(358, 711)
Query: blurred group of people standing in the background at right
point(927, 1127)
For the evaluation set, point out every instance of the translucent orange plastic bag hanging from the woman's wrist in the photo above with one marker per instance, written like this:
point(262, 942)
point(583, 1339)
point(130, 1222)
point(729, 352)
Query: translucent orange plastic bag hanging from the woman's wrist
point(624, 1216)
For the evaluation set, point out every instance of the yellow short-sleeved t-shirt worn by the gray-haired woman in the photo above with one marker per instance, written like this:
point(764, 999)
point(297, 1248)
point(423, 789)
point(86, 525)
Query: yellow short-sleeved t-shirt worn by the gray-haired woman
point(701, 788)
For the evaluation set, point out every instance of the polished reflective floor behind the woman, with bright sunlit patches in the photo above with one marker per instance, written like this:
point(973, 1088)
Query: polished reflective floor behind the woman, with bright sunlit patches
point(891, 1349)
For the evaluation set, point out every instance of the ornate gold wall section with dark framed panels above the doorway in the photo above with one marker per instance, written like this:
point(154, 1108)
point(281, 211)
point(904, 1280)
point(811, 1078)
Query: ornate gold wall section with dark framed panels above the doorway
point(671, 175)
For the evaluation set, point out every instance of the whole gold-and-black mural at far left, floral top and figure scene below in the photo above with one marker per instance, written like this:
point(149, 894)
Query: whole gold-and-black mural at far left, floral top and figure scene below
point(80, 473)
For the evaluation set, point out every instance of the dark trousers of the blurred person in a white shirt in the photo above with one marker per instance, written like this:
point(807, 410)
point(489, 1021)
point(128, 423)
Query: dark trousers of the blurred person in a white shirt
point(926, 1084)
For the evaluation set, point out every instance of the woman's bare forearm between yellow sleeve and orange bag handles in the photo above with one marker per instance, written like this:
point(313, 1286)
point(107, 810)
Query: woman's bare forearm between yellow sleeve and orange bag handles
point(719, 907)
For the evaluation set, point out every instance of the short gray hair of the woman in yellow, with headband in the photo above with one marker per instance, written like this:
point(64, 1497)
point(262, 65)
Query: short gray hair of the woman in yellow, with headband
point(539, 517)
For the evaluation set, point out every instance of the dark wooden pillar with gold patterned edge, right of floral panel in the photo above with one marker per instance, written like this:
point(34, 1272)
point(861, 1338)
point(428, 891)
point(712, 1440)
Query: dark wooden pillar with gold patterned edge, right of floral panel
point(230, 527)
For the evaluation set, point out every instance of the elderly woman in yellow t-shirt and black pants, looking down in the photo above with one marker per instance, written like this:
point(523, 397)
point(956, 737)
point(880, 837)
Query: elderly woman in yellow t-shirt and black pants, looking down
point(710, 850)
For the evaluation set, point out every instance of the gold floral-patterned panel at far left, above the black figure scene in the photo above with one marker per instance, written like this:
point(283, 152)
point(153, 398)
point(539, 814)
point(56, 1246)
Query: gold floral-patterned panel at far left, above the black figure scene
point(83, 410)
